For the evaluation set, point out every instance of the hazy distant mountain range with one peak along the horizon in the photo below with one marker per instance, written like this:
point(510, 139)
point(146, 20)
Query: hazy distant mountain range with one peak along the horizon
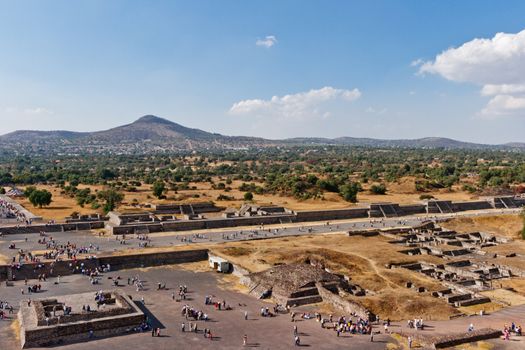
point(151, 133)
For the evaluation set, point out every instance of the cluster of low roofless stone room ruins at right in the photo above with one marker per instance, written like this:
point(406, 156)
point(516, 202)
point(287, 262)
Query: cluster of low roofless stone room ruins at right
point(464, 278)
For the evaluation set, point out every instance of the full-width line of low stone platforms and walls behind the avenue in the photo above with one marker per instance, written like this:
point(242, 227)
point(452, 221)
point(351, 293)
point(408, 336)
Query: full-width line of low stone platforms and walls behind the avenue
point(162, 218)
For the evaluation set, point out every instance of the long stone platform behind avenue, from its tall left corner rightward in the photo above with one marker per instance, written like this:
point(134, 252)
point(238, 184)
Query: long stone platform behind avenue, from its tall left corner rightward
point(251, 215)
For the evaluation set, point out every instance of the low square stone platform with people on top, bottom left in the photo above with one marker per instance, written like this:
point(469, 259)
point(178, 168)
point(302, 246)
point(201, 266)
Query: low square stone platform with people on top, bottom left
point(54, 321)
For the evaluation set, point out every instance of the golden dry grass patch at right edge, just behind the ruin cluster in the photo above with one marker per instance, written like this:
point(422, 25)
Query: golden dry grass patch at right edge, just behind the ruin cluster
point(503, 225)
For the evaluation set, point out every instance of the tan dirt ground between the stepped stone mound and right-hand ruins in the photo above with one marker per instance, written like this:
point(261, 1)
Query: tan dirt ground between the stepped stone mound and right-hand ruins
point(386, 296)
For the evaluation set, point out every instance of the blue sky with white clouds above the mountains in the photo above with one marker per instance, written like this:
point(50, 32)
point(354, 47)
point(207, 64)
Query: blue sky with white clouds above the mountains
point(274, 68)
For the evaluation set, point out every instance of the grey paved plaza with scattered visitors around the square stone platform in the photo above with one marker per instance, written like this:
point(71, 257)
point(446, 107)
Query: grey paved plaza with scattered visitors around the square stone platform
point(227, 326)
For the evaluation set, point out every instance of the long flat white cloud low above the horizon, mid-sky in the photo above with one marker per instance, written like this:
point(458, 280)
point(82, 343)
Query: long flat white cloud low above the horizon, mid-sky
point(301, 105)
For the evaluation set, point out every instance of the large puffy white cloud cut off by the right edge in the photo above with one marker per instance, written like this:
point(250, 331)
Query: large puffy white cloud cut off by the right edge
point(496, 64)
